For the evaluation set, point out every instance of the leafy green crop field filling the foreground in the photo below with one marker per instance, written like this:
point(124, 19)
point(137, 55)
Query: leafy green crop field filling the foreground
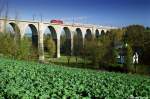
point(29, 80)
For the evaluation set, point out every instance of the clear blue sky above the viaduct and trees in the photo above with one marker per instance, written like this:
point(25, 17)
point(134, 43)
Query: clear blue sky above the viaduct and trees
point(101, 12)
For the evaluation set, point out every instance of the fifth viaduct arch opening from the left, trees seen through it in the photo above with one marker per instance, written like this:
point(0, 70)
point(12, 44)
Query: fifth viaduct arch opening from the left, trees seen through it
point(77, 41)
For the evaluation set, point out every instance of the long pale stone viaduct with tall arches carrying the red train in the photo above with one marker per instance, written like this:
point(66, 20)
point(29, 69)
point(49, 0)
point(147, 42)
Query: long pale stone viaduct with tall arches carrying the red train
point(38, 29)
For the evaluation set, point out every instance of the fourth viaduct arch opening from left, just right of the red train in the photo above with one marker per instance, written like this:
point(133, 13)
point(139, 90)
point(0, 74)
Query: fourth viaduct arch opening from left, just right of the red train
point(65, 40)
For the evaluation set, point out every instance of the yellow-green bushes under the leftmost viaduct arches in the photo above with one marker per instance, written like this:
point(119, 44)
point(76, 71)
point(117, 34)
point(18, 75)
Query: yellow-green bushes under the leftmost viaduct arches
point(17, 48)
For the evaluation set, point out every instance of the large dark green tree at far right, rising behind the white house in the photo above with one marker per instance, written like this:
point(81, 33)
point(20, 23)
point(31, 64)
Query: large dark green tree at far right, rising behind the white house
point(138, 37)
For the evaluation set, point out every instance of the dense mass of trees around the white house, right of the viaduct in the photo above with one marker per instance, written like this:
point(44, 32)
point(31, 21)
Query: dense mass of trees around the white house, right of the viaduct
point(104, 50)
